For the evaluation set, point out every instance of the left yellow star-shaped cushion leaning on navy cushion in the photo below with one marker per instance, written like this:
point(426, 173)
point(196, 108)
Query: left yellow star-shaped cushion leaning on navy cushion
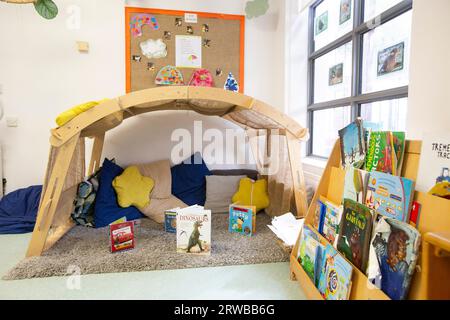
point(133, 189)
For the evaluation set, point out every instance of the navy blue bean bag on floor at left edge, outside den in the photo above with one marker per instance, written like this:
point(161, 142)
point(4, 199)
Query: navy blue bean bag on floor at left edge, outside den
point(18, 210)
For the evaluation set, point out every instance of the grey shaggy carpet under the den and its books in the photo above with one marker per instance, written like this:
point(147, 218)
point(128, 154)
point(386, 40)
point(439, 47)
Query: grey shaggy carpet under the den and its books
point(155, 250)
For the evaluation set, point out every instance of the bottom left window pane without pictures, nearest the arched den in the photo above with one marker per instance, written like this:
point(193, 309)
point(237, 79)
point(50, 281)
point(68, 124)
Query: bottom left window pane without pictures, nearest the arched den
point(326, 124)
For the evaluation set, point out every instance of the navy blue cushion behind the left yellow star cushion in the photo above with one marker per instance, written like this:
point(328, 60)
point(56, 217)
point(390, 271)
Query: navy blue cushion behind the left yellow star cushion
point(107, 209)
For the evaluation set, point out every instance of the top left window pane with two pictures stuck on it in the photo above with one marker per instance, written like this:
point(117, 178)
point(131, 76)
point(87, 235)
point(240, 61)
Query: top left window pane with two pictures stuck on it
point(333, 19)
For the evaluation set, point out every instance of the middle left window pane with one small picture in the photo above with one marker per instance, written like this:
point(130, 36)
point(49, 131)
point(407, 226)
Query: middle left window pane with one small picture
point(333, 74)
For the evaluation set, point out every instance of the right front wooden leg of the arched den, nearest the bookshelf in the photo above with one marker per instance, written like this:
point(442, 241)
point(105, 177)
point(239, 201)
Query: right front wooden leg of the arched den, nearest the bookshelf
point(298, 178)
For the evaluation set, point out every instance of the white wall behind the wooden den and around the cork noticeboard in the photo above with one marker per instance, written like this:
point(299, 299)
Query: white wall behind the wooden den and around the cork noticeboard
point(42, 74)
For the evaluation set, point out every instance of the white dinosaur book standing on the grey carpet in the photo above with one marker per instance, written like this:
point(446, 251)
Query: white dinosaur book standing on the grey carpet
point(194, 230)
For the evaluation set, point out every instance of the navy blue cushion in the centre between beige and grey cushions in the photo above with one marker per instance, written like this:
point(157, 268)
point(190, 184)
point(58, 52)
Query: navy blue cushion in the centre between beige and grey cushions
point(188, 180)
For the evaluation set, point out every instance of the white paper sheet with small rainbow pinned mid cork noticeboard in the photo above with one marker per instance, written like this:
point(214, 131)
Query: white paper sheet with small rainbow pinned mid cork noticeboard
point(188, 51)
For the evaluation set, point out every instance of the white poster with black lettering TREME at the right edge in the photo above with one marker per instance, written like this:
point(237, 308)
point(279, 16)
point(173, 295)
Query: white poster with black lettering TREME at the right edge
point(434, 165)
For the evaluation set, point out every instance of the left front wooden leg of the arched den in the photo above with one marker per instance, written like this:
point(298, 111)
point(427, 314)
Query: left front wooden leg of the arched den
point(51, 197)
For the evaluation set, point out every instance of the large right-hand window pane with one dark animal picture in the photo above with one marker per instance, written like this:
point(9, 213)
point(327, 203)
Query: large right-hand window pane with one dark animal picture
point(386, 55)
